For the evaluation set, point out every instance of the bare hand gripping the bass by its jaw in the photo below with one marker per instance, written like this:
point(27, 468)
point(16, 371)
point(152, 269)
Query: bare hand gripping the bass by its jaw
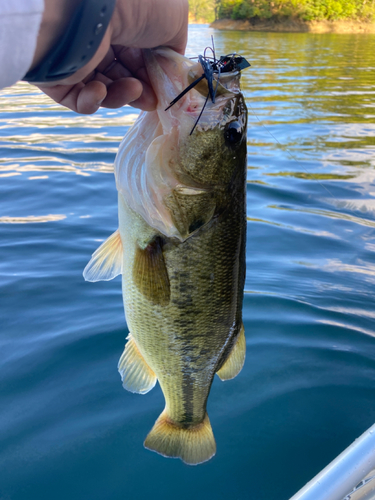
point(116, 75)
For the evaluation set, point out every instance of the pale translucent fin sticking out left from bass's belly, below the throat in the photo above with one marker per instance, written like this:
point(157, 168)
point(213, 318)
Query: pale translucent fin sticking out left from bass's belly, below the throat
point(106, 261)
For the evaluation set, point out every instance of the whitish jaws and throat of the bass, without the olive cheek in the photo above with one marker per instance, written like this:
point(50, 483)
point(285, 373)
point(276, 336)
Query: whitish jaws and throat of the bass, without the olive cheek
point(148, 166)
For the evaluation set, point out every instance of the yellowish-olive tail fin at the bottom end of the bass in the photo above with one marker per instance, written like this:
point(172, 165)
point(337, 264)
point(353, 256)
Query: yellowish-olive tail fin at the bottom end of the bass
point(194, 445)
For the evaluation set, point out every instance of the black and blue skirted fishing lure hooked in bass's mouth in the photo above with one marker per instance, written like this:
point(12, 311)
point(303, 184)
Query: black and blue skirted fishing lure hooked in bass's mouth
point(212, 66)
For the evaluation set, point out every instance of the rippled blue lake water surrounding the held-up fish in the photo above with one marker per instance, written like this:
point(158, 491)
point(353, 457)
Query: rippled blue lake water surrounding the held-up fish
point(67, 427)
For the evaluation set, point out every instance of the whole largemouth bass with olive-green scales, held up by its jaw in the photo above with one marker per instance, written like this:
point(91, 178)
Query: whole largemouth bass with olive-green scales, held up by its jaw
point(180, 248)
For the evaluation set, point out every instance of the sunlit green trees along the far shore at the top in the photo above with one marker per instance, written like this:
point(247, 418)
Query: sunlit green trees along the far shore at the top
point(279, 10)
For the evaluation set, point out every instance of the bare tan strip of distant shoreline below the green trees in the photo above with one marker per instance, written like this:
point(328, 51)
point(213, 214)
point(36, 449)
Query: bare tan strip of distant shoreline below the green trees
point(294, 26)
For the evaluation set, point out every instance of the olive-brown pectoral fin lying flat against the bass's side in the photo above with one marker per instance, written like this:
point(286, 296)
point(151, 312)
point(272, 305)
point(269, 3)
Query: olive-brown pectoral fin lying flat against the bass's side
point(150, 273)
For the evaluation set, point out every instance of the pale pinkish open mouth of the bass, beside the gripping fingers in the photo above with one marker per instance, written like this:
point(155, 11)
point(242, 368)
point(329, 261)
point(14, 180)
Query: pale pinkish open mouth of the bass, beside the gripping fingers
point(170, 74)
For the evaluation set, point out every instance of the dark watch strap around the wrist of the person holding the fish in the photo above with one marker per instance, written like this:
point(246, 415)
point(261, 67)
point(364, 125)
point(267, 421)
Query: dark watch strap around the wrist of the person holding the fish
point(79, 43)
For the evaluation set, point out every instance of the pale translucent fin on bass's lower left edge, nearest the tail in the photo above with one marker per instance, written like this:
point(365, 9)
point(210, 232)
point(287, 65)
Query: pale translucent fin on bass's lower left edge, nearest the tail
point(135, 373)
